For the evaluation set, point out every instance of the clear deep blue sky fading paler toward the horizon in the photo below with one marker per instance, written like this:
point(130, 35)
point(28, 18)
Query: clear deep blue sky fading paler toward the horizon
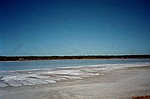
point(74, 27)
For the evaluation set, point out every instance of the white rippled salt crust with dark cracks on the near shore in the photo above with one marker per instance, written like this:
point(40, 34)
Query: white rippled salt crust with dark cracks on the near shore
point(17, 79)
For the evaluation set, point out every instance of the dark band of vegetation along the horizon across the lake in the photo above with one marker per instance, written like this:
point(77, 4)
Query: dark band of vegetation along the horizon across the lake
point(24, 58)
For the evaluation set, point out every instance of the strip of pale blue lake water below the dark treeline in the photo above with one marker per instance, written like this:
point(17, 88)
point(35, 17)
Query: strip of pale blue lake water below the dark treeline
point(29, 65)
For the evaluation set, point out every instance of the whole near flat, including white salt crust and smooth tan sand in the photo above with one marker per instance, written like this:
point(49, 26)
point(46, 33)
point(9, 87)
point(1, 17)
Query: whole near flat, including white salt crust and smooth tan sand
point(78, 83)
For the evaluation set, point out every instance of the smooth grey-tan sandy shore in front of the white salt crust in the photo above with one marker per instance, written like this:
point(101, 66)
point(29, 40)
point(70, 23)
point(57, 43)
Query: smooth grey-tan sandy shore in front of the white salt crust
point(123, 83)
